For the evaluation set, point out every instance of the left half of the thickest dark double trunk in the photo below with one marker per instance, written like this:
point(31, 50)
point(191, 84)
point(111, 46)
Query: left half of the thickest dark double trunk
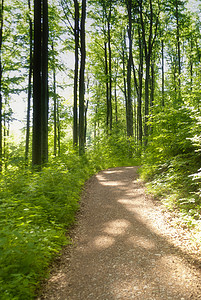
point(36, 145)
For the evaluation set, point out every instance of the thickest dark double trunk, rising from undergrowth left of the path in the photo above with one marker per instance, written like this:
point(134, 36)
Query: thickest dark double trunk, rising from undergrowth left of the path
point(40, 83)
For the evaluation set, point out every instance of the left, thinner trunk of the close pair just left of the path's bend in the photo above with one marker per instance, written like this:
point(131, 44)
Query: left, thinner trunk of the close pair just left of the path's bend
point(76, 34)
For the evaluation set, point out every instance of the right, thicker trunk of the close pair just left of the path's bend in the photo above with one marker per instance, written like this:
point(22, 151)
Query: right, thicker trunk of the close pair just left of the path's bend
point(82, 80)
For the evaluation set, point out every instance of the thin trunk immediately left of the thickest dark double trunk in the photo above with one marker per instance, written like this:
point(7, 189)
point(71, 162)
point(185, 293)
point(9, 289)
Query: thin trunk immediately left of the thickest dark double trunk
point(29, 85)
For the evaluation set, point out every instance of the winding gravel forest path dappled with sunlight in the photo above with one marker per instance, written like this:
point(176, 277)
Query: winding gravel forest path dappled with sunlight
point(124, 246)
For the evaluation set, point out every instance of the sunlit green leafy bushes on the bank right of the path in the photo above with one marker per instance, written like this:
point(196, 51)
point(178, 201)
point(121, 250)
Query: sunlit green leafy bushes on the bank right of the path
point(171, 162)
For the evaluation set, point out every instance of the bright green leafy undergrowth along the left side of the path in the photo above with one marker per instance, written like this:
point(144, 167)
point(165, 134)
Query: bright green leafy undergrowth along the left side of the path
point(36, 211)
